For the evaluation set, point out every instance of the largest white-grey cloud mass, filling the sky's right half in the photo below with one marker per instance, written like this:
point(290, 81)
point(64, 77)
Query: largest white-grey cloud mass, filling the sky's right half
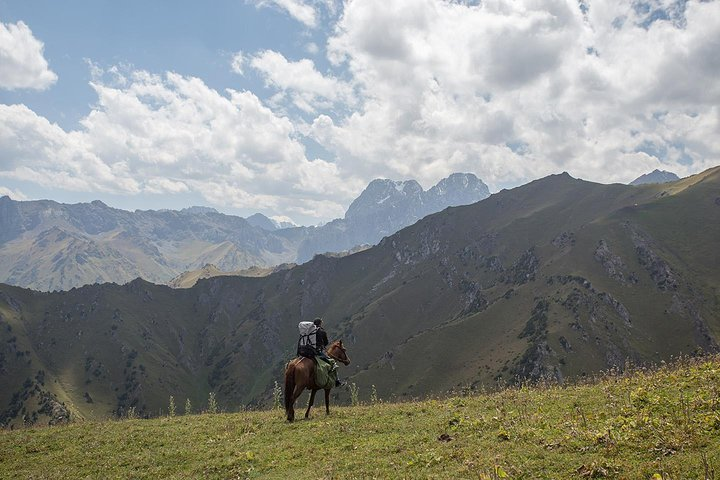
point(517, 90)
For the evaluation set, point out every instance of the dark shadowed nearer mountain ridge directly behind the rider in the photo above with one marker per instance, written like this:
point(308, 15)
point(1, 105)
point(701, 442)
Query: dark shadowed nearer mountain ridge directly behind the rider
point(557, 279)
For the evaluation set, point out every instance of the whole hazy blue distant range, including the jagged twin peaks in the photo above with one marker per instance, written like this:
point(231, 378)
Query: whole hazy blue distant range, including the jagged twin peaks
point(48, 246)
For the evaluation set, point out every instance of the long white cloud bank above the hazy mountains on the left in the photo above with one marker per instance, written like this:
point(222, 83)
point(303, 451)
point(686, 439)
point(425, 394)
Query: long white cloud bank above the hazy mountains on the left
point(173, 134)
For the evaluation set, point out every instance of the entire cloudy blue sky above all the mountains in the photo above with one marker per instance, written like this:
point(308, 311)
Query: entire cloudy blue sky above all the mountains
point(291, 107)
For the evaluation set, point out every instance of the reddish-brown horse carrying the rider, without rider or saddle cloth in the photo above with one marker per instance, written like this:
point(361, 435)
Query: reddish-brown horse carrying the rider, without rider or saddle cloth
point(300, 374)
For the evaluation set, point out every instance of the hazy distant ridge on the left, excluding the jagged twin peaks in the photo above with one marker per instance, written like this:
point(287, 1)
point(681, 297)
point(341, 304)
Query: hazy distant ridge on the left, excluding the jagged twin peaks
point(49, 246)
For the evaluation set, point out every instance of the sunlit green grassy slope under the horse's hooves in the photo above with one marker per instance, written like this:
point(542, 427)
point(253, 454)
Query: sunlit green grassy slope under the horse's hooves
point(663, 424)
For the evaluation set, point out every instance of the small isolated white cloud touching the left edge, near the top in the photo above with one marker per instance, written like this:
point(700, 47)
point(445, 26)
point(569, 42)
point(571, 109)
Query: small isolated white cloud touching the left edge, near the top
point(22, 60)
